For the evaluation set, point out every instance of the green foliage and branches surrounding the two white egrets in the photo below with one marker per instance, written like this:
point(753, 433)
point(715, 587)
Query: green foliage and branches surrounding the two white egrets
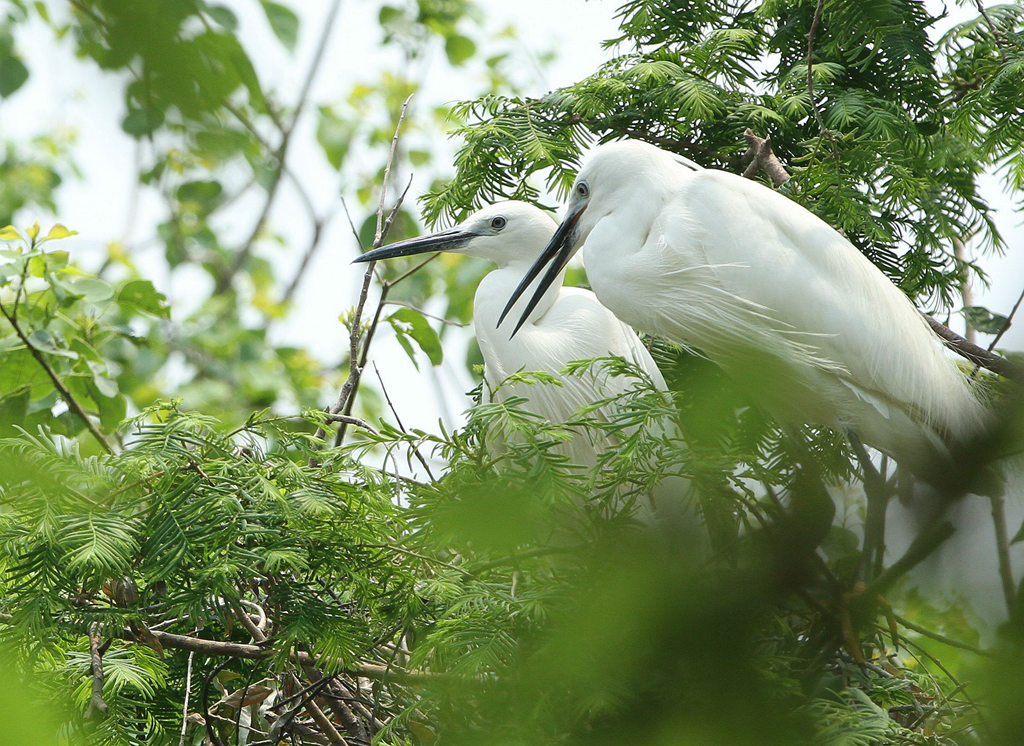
point(709, 582)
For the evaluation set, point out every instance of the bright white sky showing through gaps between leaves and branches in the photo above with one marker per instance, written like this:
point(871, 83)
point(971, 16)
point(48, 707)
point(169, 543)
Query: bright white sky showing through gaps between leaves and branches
point(66, 94)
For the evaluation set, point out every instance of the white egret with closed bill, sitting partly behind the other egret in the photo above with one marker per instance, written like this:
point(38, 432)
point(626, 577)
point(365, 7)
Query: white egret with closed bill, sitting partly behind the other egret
point(565, 324)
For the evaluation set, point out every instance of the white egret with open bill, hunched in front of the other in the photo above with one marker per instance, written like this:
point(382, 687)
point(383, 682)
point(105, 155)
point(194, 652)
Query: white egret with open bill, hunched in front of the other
point(766, 290)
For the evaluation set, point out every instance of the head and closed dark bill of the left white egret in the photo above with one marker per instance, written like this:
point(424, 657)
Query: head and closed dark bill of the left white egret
point(505, 233)
